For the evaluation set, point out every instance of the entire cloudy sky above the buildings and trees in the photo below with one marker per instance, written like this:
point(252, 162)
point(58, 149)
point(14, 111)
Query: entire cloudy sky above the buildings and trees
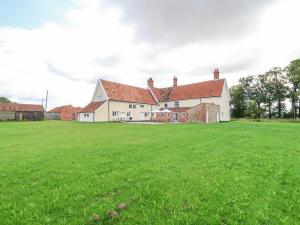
point(66, 46)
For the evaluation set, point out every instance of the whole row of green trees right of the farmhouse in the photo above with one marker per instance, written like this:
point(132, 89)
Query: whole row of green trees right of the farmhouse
point(268, 95)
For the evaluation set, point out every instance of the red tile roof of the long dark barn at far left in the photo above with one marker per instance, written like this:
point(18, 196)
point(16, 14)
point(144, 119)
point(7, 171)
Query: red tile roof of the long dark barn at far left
point(15, 107)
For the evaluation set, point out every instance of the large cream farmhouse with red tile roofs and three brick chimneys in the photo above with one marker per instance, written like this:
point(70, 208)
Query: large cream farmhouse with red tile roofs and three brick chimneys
point(206, 102)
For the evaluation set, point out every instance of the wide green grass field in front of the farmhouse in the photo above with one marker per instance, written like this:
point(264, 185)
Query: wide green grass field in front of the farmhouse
point(229, 173)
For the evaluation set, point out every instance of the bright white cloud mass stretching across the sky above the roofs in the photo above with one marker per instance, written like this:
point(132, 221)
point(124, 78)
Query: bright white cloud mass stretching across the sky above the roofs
point(92, 41)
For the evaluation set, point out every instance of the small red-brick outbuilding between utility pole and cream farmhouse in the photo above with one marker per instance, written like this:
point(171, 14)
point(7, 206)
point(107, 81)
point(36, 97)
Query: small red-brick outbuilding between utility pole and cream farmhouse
point(66, 112)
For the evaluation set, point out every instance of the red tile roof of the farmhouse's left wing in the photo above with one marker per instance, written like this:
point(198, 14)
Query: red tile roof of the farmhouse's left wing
point(127, 93)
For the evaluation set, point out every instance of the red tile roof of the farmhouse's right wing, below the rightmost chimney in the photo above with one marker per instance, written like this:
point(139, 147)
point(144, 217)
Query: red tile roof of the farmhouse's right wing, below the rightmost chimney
point(212, 88)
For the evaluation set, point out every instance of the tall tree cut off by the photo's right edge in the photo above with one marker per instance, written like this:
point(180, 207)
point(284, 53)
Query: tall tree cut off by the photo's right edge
point(293, 73)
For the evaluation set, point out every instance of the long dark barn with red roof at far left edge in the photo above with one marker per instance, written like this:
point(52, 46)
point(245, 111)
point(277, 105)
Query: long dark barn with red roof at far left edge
point(15, 111)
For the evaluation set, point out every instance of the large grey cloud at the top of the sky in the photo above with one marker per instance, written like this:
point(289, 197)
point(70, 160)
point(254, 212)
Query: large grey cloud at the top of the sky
point(179, 22)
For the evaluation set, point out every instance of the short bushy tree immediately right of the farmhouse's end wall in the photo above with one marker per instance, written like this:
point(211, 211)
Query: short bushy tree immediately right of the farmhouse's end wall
point(238, 101)
